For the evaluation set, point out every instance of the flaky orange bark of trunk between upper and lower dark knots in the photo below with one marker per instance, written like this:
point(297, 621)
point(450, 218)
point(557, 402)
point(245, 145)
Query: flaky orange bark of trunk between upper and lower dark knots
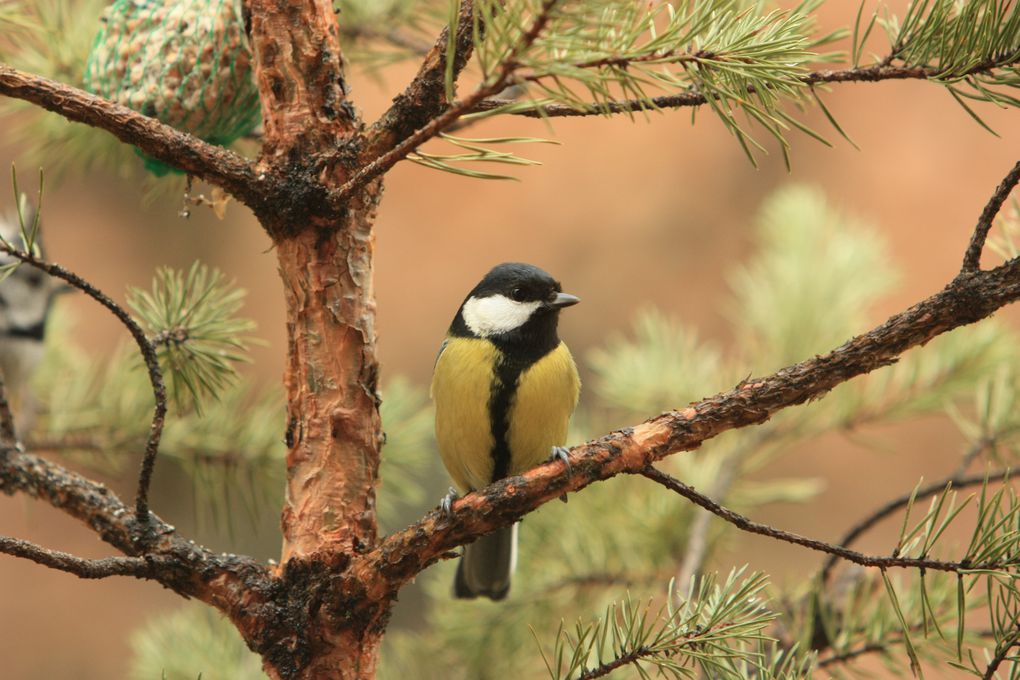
point(333, 432)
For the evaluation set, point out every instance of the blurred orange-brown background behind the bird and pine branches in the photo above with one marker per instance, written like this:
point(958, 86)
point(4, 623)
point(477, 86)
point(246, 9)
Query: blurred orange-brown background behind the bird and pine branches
point(626, 215)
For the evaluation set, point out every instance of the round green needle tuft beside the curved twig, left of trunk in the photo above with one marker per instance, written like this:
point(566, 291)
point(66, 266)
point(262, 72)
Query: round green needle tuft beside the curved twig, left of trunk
point(190, 319)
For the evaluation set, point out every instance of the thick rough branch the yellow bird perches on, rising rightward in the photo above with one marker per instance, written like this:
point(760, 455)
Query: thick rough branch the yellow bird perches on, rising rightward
point(967, 299)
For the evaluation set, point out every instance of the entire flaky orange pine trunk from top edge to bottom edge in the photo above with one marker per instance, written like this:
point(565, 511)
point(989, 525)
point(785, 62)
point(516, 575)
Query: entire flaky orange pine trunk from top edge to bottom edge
point(324, 623)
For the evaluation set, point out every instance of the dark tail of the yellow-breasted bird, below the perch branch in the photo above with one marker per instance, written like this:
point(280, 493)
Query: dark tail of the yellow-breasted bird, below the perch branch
point(487, 566)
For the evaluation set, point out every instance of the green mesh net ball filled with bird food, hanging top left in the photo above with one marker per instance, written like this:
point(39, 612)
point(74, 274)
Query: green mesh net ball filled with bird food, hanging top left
point(186, 63)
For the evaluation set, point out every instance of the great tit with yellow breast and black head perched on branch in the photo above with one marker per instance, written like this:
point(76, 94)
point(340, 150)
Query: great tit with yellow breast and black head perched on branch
point(504, 388)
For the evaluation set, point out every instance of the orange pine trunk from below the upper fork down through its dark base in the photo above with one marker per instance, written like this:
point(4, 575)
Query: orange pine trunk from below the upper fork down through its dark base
point(333, 434)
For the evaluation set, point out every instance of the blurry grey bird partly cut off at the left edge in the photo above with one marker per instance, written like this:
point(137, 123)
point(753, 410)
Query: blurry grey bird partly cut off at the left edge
point(26, 301)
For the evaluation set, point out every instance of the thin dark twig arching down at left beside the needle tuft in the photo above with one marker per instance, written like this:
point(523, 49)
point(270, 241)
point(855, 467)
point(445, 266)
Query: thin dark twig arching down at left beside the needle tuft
point(148, 353)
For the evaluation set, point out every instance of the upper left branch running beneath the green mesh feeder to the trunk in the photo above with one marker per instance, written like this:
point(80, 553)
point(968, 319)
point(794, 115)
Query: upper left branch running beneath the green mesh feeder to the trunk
point(214, 165)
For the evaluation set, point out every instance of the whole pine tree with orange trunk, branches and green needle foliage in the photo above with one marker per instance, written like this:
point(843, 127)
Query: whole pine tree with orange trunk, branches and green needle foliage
point(654, 605)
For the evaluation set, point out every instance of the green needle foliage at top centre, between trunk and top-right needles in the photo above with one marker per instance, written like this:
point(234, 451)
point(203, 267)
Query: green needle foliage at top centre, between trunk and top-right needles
point(748, 63)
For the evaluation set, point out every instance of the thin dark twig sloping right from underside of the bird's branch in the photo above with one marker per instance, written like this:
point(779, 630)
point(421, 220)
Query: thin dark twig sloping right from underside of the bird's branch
point(745, 525)
